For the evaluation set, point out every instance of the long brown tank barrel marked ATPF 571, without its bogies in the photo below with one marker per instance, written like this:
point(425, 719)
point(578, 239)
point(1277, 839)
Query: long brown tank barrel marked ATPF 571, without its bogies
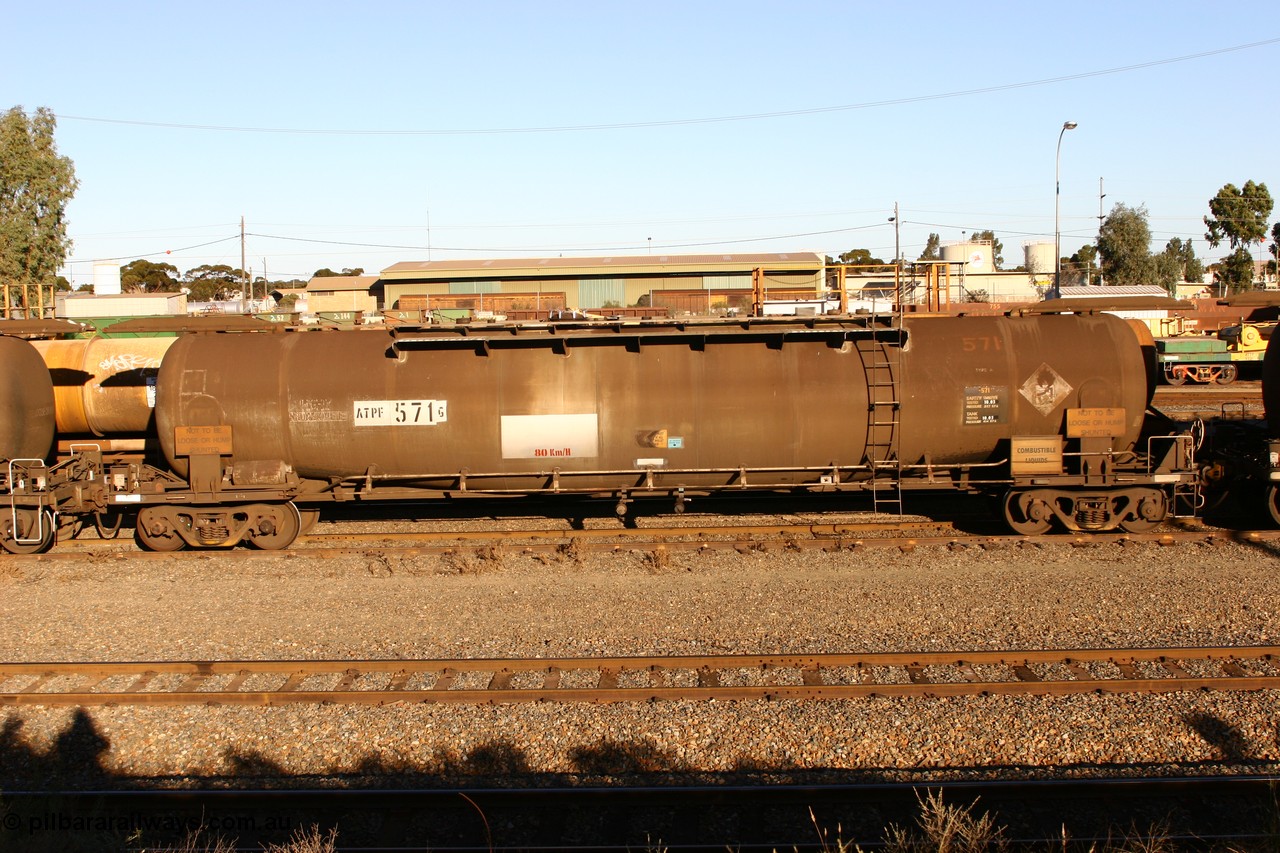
point(527, 403)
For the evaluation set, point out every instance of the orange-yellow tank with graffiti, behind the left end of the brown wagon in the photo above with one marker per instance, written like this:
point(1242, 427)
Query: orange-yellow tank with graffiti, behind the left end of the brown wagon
point(104, 386)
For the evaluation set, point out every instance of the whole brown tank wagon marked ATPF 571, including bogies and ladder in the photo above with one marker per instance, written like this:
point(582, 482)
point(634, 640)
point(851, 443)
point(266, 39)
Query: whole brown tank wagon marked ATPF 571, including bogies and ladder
point(262, 430)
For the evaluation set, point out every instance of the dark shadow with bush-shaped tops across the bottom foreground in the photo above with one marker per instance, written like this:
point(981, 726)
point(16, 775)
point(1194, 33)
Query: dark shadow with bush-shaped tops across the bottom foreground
point(63, 796)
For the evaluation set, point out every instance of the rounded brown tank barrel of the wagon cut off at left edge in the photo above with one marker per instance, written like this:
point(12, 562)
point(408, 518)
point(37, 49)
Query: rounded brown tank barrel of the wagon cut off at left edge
point(26, 403)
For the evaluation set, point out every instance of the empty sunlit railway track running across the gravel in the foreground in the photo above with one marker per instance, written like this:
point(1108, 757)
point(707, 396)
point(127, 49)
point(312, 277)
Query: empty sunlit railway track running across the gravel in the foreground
point(642, 679)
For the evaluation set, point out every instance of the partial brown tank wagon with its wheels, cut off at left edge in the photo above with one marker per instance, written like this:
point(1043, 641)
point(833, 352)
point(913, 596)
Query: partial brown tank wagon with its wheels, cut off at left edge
point(26, 437)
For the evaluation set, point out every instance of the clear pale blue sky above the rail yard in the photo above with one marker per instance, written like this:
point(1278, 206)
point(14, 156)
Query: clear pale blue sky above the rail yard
point(364, 135)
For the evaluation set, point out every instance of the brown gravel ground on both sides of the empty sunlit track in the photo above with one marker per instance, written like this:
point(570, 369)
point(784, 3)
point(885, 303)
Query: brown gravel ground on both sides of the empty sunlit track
point(502, 603)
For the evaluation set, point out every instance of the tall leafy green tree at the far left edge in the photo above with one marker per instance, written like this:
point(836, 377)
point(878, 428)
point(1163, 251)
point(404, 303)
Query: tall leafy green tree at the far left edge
point(36, 185)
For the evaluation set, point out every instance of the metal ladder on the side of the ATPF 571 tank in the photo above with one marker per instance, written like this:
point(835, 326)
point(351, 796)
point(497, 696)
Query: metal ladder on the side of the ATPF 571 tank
point(881, 358)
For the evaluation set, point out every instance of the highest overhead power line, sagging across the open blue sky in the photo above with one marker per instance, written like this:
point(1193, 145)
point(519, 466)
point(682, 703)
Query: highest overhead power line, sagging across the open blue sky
point(716, 120)
